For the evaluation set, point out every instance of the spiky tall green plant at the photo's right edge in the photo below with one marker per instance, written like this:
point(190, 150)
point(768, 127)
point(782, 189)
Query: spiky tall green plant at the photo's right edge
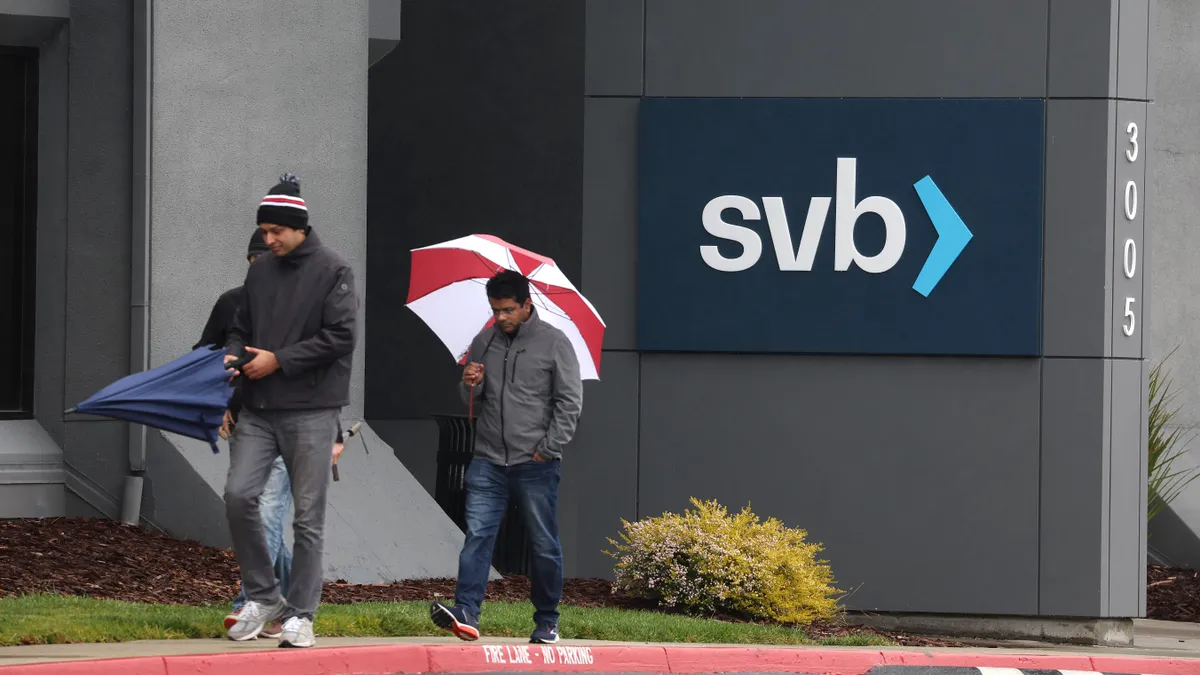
point(1167, 445)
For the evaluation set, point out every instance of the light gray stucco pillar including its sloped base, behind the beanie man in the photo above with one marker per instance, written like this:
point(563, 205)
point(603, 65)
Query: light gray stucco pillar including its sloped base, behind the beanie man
point(242, 93)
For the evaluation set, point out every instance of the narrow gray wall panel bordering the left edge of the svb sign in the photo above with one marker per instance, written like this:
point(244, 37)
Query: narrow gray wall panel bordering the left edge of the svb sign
point(610, 217)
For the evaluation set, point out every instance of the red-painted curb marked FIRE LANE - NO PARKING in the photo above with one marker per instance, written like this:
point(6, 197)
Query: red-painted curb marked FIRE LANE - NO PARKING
point(394, 660)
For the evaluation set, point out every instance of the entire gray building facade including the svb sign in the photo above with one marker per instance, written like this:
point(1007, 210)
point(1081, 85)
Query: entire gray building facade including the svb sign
point(879, 270)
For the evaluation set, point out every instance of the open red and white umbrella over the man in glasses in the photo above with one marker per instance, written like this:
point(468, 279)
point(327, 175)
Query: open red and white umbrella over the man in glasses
point(447, 291)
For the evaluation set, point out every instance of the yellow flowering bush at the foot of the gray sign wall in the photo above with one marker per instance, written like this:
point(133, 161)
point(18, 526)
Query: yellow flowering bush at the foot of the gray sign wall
point(709, 563)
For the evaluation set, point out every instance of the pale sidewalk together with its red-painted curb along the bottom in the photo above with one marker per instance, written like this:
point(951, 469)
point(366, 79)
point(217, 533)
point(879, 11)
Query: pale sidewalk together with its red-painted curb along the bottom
point(1166, 650)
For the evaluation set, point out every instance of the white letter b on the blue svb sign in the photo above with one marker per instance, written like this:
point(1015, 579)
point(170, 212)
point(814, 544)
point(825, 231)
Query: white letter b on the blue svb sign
point(849, 211)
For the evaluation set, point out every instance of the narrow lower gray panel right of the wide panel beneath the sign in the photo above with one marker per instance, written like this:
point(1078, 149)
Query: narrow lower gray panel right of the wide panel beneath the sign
point(1075, 480)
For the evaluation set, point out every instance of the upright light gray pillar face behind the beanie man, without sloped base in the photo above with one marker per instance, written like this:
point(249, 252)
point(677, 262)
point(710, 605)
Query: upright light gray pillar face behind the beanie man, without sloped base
point(211, 58)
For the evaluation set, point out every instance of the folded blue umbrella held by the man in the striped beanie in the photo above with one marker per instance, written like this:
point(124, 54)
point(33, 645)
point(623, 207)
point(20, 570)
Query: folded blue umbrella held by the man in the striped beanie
point(187, 397)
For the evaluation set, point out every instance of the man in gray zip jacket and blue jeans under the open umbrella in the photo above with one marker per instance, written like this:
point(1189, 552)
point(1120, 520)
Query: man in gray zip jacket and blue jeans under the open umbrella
point(525, 380)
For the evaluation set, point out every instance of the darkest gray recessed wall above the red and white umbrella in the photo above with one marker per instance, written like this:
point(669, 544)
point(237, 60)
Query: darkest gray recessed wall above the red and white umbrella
point(477, 127)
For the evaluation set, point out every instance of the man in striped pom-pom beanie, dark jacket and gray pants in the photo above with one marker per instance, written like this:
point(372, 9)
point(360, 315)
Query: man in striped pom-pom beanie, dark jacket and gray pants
point(298, 322)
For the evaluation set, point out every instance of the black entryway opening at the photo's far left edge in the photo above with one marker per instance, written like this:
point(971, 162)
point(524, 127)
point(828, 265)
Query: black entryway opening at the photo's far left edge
point(19, 234)
